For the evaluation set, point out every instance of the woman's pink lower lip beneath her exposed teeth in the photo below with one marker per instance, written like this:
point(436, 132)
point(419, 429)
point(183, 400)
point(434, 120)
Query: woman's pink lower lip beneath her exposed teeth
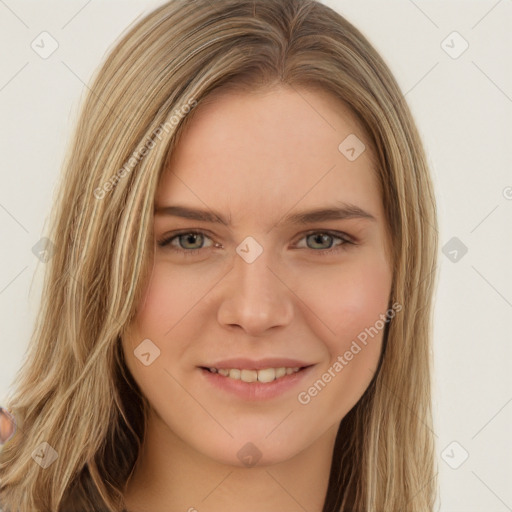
point(255, 391)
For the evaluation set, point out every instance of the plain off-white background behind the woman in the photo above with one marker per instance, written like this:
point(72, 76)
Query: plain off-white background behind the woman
point(463, 108)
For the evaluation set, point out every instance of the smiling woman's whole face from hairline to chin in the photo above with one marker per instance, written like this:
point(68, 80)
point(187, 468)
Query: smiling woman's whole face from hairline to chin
point(271, 253)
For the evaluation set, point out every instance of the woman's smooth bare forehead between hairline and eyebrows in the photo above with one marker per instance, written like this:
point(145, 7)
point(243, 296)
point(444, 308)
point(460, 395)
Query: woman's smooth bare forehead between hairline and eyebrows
point(268, 151)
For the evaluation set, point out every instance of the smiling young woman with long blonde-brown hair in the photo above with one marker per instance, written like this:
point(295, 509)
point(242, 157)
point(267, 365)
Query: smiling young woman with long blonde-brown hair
point(283, 362)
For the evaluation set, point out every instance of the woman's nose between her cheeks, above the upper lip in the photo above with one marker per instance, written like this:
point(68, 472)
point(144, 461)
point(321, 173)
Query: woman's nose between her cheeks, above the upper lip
point(255, 297)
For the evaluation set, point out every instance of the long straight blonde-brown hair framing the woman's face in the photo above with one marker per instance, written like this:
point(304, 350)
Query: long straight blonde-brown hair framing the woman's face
point(74, 390)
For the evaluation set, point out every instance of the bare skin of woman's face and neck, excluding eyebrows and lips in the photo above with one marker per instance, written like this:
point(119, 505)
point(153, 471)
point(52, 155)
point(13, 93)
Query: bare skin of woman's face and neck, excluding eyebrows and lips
point(255, 158)
